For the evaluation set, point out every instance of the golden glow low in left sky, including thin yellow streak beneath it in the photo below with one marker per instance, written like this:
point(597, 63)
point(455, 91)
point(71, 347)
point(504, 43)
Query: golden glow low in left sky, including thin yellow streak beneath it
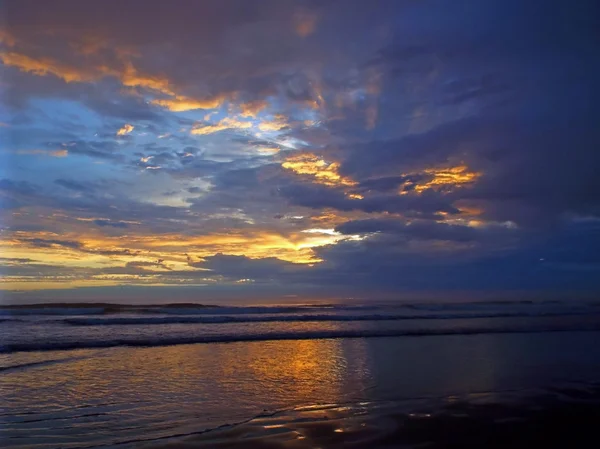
point(98, 259)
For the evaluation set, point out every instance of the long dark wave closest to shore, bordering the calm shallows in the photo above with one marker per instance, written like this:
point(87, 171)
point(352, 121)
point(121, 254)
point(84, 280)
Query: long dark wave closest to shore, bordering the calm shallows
point(307, 335)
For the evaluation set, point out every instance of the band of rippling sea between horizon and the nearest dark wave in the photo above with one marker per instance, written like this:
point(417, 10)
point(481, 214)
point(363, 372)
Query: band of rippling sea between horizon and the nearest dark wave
point(37, 329)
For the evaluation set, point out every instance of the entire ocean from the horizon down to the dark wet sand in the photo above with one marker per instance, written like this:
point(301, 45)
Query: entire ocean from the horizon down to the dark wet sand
point(101, 375)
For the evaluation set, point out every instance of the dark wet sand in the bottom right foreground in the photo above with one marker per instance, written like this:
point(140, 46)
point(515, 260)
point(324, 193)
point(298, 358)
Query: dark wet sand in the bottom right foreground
point(566, 417)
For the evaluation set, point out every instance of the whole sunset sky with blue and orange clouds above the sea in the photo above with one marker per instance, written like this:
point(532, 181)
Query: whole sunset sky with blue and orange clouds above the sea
point(298, 149)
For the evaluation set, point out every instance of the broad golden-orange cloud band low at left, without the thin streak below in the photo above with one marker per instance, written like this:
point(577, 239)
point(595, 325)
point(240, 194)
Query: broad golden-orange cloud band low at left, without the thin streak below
point(97, 251)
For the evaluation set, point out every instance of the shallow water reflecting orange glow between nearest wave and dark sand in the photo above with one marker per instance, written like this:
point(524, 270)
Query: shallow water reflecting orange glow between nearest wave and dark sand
point(93, 397)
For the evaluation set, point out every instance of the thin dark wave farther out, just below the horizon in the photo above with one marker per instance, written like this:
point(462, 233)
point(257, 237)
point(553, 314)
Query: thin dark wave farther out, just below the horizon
point(223, 319)
